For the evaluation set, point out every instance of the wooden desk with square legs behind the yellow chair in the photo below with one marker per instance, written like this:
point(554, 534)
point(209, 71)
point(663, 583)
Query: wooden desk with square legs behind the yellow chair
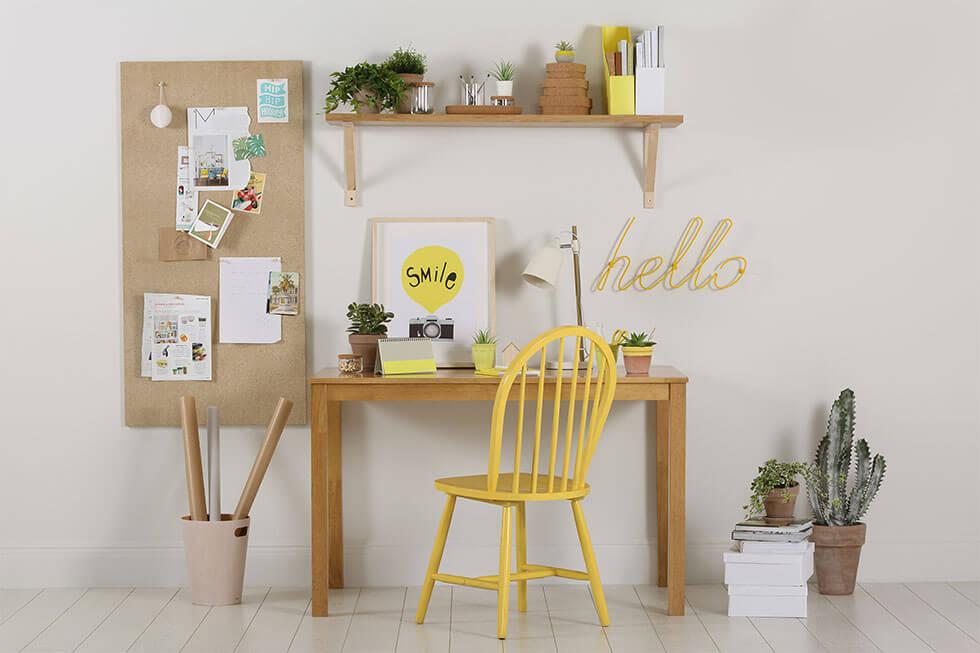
point(665, 385)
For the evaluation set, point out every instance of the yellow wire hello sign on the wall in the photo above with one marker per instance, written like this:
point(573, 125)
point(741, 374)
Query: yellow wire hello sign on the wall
point(646, 277)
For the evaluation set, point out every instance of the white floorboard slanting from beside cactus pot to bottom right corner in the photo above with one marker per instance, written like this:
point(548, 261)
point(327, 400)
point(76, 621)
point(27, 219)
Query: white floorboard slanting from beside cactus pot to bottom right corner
point(933, 628)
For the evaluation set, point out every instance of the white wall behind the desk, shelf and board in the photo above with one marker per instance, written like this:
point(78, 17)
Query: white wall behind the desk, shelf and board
point(841, 137)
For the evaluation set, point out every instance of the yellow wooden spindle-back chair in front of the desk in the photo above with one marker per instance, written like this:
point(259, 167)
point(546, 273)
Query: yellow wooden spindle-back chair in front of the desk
point(593, 398)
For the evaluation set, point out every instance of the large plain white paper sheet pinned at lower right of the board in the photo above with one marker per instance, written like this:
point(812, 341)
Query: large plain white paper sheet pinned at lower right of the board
point(243, 287)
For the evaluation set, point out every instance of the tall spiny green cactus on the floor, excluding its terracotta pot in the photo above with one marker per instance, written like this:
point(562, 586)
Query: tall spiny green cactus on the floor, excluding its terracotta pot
point(836, 499)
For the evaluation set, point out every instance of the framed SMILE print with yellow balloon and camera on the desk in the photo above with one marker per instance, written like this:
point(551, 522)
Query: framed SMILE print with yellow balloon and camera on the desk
point(437, 276)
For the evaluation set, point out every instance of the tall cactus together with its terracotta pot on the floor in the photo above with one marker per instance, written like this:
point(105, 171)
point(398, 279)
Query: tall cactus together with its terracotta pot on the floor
point(839, 501)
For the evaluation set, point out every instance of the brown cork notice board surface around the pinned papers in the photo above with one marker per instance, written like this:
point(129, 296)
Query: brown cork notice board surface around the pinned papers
point(247, 379)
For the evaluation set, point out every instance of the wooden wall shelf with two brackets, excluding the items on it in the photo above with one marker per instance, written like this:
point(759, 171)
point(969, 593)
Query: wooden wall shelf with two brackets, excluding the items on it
point(651, 126)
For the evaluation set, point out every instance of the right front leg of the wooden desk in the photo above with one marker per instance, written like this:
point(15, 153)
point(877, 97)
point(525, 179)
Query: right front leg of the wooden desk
point(675, 499)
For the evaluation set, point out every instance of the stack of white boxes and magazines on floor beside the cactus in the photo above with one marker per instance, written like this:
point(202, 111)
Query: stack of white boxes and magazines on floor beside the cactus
point(767, 569)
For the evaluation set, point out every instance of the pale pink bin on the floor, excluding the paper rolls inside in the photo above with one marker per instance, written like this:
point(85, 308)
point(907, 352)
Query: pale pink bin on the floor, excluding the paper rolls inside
point(215, 559)
